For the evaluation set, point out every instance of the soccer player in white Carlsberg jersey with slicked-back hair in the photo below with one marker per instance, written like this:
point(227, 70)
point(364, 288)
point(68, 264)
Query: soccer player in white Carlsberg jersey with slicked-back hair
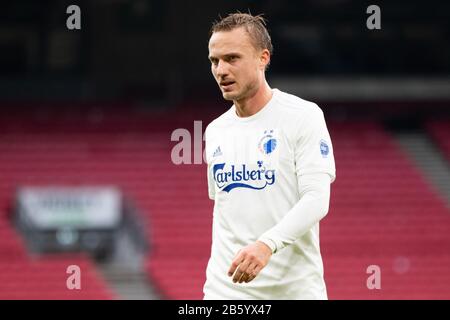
point(270, 165)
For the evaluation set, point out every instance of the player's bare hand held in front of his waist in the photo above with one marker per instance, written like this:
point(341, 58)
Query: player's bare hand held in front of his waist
point(249, 261)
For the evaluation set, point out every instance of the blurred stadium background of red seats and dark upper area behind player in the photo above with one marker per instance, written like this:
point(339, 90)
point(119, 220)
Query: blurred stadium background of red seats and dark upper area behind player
point(86, 117)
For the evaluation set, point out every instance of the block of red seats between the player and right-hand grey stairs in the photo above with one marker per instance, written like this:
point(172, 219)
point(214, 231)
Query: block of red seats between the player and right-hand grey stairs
point(383, 213)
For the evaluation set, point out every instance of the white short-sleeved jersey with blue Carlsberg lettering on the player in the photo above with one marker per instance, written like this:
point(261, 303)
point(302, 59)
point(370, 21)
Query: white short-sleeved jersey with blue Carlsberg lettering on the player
point(254, 166)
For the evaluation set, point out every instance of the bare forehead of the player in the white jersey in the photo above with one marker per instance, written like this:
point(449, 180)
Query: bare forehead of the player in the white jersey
point(226, 42)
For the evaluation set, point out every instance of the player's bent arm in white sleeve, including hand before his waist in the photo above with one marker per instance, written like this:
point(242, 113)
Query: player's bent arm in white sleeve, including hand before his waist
point(315, 170)
